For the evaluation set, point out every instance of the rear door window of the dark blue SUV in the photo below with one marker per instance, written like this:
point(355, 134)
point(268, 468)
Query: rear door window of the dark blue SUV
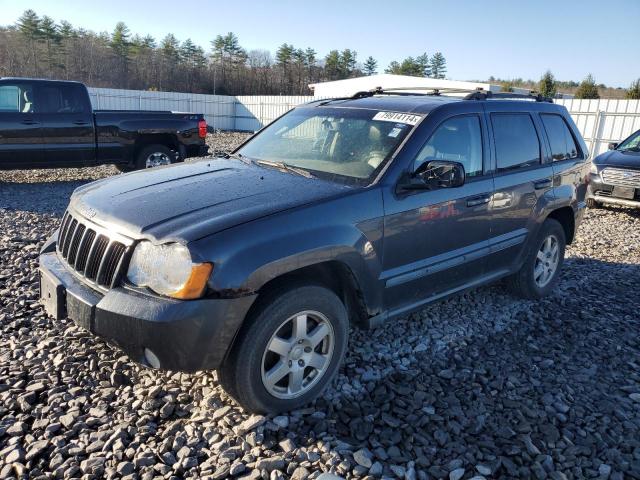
point(517, 143)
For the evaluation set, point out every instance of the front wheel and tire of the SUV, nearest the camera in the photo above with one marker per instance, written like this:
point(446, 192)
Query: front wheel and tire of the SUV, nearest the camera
point(263, 381)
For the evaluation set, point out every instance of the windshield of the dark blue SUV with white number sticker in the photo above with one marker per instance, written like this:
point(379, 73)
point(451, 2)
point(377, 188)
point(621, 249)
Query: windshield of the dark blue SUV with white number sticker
point(338, 144)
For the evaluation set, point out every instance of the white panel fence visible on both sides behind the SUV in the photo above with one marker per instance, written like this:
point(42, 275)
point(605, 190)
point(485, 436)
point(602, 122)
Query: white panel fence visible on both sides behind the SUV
point(599, 121)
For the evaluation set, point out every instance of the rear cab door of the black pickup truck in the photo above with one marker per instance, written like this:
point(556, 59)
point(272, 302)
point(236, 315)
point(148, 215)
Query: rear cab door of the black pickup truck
point(67, 124)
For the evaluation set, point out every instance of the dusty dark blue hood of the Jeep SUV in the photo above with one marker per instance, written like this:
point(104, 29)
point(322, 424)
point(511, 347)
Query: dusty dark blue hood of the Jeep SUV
point(188, 201)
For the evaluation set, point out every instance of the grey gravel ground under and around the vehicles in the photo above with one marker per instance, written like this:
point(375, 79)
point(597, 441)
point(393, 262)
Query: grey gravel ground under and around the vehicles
point(482, 385)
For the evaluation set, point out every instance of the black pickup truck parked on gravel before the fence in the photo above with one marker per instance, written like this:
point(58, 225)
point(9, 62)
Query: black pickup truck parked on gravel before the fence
point(50, 124)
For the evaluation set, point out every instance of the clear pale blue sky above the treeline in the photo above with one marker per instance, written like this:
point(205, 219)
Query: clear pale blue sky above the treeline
point(480, 38)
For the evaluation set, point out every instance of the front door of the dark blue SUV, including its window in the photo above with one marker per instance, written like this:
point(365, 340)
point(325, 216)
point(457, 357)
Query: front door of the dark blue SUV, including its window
point(435, 241)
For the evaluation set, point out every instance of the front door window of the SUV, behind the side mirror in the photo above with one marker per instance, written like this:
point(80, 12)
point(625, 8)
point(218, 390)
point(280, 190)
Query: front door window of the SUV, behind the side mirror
point(458, 139)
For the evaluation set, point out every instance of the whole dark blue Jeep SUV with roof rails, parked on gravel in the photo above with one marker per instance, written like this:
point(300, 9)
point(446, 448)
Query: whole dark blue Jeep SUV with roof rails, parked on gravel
point(345, 211)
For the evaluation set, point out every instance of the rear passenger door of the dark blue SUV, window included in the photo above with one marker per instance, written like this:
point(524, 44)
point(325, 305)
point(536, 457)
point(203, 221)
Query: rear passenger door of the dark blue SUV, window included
point(523, 182)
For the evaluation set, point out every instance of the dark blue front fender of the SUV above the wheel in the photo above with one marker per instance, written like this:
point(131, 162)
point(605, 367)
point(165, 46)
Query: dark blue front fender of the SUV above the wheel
point(348, 231)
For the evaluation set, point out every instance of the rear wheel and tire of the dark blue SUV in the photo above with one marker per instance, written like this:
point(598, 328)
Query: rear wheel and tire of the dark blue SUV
point(528, 282)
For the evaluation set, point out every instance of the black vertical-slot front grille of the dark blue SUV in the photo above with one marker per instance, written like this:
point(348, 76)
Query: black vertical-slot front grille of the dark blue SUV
point(92, 252)
